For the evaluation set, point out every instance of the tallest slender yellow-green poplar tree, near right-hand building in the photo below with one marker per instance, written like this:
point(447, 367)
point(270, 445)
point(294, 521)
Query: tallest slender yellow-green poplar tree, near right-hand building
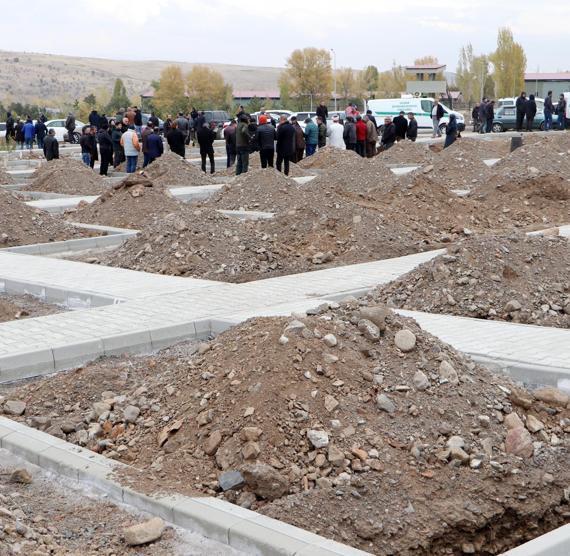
point(509, 63)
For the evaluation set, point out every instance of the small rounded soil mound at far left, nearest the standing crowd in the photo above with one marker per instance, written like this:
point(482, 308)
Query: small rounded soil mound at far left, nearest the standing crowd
point(67, 176)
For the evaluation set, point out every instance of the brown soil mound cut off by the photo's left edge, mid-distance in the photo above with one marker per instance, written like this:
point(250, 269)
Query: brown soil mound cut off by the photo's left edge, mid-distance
point(22, 225)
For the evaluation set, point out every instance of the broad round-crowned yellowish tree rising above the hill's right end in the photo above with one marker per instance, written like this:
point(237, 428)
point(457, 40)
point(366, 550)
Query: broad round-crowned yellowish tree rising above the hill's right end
point(308, 75)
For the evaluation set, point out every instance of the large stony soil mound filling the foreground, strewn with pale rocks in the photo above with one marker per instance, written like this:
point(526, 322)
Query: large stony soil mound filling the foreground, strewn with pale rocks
point(410, 447)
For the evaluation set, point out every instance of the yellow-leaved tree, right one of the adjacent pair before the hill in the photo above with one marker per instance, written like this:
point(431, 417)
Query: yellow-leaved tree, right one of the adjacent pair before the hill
point(207, 89)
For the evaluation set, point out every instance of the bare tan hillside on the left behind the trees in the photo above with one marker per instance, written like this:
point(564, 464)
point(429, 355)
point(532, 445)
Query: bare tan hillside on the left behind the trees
point(26, 76)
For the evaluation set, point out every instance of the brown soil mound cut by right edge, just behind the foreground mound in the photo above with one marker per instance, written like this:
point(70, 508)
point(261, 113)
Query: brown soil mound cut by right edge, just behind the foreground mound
point(515, 278)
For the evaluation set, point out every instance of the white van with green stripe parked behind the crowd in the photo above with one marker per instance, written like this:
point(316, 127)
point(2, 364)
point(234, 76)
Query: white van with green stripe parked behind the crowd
point(421, 107)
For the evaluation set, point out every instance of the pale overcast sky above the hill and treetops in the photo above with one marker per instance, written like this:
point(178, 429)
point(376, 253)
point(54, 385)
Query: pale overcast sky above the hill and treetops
point(262, 32)
